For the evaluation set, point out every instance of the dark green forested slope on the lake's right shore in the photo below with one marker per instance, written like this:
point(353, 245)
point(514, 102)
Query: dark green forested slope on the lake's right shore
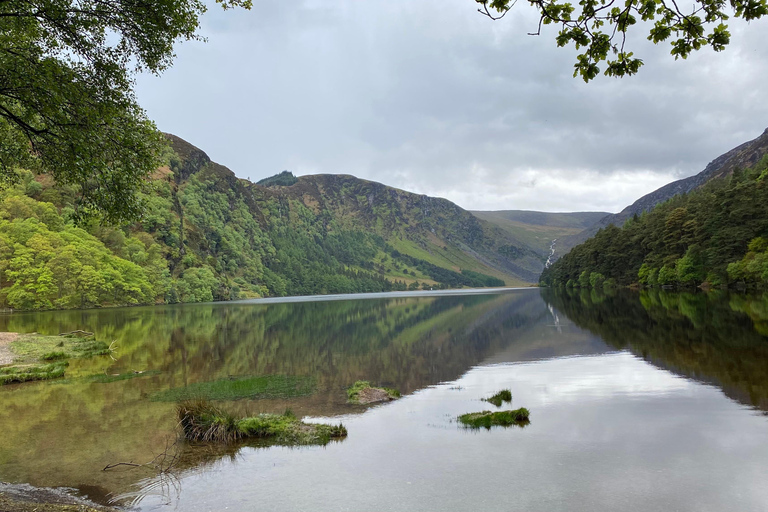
point(716, 234)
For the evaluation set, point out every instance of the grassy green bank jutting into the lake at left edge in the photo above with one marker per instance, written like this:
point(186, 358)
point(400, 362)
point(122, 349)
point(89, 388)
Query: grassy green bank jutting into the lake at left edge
point(38, 357)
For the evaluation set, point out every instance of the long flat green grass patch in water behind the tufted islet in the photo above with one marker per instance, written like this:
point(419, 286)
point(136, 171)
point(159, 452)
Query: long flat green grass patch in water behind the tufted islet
point(264, 386)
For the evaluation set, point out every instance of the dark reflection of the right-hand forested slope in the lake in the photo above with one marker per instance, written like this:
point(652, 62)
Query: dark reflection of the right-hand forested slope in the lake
point(718, 338)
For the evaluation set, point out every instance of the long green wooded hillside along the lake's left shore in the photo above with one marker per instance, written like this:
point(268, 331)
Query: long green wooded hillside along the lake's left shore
point(207, 235)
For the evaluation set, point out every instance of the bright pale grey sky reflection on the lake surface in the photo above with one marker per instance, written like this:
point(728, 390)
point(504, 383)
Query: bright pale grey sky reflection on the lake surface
point(608, 431)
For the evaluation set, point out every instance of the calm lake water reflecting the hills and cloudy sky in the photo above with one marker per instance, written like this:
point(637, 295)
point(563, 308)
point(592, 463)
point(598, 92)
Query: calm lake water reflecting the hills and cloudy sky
point(650, 401)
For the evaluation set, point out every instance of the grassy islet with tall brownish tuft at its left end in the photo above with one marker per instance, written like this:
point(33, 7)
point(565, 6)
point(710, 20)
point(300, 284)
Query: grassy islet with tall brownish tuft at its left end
point(203, 421)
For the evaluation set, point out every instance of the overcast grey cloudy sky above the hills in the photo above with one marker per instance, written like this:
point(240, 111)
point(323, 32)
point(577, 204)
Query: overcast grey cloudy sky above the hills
point(431, 97)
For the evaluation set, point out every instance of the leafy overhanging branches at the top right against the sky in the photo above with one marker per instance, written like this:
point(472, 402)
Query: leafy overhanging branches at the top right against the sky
point(600, 27)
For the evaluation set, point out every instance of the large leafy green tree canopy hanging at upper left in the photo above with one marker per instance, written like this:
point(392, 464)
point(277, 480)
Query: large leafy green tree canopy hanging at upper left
point(67, 105)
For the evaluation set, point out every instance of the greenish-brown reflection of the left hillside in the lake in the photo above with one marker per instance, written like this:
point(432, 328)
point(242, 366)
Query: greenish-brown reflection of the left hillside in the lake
point(65, 432)
